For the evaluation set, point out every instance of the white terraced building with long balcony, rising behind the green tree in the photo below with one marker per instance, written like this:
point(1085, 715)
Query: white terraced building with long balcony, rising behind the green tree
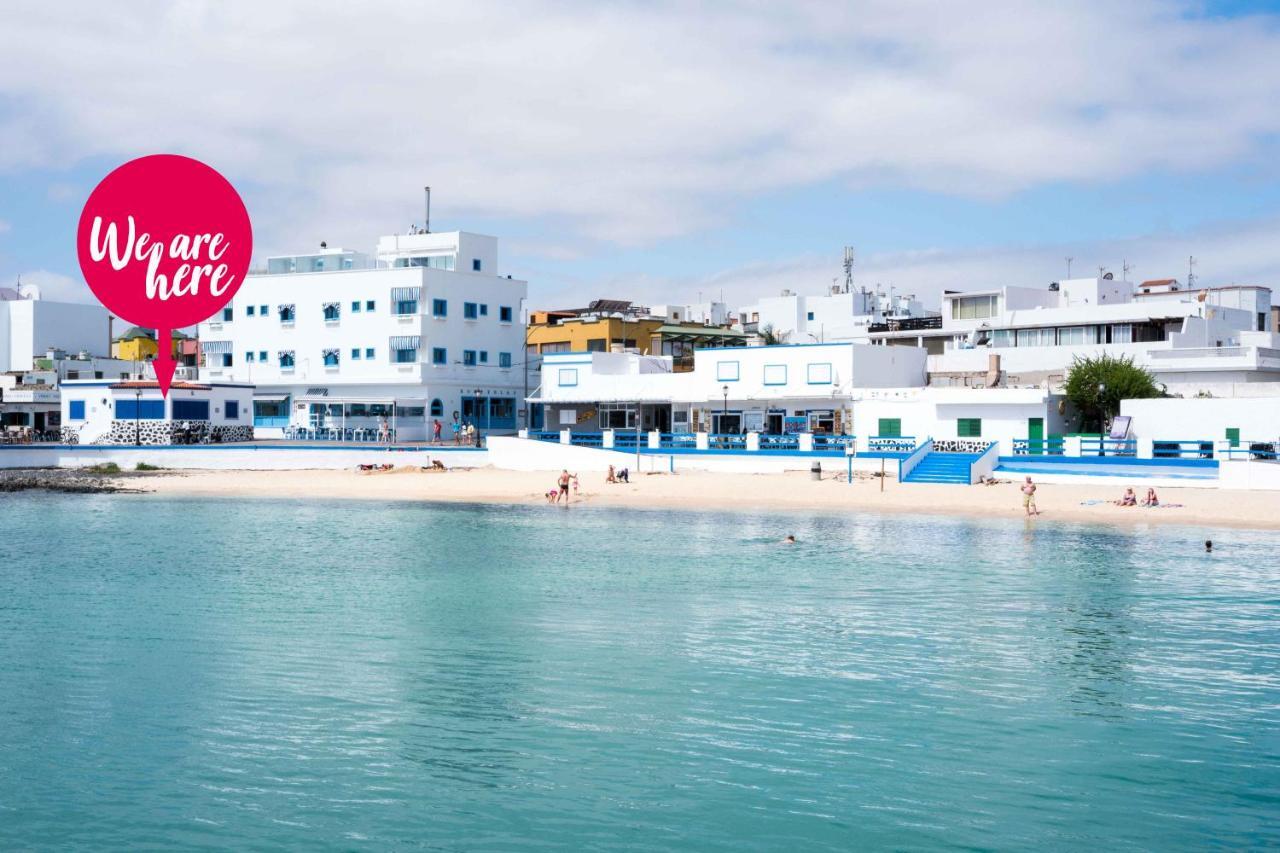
point(1190, 340)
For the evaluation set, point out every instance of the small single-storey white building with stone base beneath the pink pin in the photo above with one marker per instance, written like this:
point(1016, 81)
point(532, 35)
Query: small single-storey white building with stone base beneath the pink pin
point(135, 413)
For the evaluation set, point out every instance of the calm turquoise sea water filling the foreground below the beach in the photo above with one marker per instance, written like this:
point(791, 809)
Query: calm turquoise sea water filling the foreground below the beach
point(360, 676)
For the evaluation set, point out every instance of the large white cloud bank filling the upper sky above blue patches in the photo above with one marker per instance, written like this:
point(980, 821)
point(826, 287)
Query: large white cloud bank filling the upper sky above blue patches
point(629, 122)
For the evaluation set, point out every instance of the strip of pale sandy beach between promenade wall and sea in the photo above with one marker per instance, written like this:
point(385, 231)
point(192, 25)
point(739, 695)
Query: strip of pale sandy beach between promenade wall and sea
point(744, 492)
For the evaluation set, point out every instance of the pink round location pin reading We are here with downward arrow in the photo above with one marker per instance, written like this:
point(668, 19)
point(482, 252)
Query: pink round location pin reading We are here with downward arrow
point(164, 243)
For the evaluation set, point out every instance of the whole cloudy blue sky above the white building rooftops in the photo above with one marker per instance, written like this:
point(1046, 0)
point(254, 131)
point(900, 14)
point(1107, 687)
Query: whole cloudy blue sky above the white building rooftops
point(675, 152)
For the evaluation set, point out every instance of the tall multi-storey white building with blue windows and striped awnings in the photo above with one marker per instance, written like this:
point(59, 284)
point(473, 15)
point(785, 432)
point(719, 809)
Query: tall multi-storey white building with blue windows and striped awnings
point(336, 341)
